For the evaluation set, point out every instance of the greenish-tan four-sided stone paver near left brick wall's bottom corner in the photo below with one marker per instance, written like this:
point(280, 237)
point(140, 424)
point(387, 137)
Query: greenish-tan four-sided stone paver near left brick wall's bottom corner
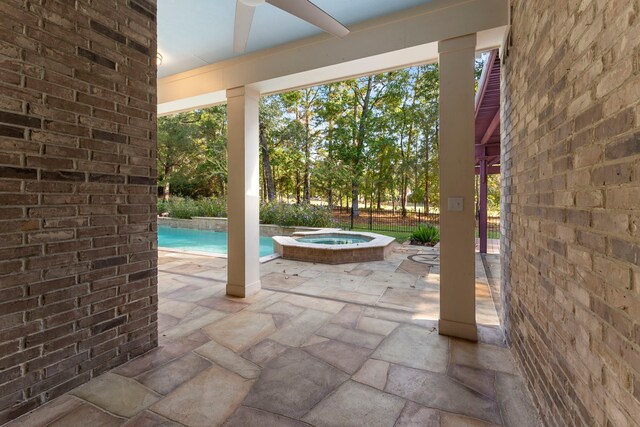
point(117, 394)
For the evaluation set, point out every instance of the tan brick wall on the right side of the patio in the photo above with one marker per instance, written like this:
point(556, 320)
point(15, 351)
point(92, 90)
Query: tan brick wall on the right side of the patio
point(571, 162)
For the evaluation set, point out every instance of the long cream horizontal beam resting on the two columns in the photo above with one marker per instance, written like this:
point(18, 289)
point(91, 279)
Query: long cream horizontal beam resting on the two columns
point(395, 41)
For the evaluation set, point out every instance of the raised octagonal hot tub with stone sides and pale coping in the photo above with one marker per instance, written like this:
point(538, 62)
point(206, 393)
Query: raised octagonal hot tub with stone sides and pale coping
point(333, 246)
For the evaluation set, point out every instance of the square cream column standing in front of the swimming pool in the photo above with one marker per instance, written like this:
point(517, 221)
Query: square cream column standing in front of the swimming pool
point(243, 200)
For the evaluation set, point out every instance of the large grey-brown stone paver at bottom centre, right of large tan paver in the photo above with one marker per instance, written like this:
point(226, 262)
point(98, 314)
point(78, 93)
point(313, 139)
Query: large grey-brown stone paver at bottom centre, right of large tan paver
point(293, 383)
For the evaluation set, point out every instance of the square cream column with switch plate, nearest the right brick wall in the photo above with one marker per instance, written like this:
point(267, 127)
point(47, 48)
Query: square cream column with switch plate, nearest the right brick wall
point(457, 223)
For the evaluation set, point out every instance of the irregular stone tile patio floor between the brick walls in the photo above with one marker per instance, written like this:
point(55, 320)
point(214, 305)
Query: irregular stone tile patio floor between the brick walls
point(346, 345)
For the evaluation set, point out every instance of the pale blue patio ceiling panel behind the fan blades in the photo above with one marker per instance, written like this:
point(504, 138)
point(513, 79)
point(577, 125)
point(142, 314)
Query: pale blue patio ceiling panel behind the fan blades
point(202, 33)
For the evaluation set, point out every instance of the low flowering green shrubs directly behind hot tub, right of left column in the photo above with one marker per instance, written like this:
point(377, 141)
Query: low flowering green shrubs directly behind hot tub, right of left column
point(303, 215)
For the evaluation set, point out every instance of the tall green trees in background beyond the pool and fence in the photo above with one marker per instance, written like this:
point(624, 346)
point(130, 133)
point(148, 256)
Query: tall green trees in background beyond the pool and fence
point(373, 136)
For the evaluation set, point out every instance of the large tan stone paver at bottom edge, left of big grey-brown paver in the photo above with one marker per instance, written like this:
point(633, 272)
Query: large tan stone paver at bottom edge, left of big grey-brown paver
point(206, 400)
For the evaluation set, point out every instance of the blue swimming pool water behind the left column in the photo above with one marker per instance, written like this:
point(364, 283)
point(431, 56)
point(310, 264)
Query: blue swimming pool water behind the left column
point(202, 240)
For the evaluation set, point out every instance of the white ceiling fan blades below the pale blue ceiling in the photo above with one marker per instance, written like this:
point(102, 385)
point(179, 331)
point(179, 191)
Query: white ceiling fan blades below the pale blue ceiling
point(303, 9)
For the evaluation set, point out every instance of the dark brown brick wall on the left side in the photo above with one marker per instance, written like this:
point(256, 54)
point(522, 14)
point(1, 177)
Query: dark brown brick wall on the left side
point(77, 193)
